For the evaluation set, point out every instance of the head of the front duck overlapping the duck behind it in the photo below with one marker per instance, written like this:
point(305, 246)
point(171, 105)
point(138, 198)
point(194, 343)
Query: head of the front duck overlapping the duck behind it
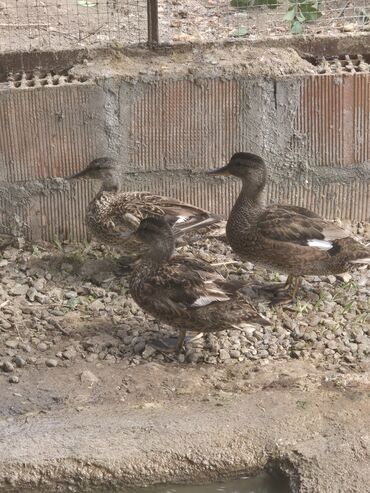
point(156, 233)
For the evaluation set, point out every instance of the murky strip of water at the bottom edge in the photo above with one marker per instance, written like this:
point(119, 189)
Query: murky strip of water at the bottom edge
point(259, 484)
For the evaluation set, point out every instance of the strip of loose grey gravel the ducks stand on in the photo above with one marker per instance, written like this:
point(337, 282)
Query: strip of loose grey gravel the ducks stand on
point(61, 304)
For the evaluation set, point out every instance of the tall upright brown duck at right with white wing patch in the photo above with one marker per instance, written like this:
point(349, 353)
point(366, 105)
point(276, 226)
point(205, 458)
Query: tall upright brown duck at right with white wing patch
point(285, 238)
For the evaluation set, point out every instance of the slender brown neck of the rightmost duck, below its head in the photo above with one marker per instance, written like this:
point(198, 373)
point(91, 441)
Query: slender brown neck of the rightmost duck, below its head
point(248, 206)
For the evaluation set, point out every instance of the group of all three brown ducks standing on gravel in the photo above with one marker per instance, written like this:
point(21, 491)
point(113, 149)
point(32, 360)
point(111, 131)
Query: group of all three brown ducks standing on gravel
point(188, 293)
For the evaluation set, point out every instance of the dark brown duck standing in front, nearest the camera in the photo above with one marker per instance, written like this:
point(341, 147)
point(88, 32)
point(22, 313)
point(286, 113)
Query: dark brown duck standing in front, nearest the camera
point(184, 292)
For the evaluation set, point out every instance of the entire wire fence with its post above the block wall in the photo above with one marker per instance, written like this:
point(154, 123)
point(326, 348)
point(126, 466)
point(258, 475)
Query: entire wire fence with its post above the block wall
point(63, 24)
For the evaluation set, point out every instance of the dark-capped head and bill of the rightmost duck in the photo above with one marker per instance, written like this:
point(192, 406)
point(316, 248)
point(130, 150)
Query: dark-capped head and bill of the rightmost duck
point(250, 168)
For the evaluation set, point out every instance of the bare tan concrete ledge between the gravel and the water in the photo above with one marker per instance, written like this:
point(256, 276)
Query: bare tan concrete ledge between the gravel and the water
point(179, 426)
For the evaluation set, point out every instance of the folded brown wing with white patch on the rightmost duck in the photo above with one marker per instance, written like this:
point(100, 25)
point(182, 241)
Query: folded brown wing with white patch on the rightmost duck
point(299, 226)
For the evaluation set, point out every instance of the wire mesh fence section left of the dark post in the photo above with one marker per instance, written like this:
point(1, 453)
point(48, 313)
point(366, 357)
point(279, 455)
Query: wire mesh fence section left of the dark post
point(63, 24)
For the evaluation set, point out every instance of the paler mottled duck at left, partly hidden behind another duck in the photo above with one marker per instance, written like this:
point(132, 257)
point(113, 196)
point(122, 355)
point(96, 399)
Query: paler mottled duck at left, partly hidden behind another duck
point(112, 212)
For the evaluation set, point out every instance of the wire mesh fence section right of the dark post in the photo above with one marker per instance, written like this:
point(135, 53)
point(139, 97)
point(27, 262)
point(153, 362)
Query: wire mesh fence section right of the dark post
point(208, 20)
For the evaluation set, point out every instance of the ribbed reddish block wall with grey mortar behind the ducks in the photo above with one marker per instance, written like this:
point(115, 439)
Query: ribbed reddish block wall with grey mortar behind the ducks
point(312, 130)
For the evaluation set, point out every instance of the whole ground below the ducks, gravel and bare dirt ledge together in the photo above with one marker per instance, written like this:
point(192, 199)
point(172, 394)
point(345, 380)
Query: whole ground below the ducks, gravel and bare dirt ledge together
point(87, 401)
